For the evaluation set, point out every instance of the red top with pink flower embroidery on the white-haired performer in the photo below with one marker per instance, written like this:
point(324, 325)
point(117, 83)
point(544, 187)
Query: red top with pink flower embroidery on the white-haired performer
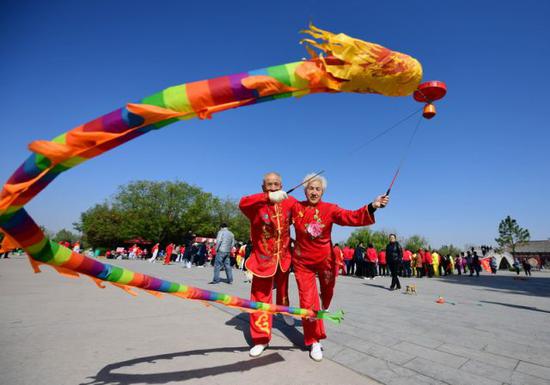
point(313, 225)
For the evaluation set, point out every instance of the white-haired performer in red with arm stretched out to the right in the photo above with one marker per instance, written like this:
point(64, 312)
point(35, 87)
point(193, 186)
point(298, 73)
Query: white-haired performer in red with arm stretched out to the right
point(313, 254)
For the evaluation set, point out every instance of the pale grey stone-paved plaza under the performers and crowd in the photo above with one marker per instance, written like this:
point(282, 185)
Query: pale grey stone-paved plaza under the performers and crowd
point(56, 330)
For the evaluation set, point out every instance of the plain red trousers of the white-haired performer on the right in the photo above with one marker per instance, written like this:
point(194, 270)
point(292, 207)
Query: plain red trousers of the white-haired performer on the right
point(314, 329)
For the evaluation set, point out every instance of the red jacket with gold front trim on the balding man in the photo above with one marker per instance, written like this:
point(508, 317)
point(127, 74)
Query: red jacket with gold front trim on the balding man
point(269, 232)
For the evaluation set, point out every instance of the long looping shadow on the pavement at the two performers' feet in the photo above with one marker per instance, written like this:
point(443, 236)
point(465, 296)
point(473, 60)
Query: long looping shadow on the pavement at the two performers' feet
point(107, 376)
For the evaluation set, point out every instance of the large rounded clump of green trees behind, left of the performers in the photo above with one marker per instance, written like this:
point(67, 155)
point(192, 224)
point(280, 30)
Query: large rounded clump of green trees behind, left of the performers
point(159, 212)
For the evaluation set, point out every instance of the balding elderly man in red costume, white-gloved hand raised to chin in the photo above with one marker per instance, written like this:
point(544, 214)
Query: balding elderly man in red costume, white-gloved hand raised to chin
point(269, 215)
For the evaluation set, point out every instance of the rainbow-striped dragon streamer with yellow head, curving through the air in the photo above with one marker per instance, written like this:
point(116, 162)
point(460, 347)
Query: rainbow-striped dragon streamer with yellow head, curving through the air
point(361, 67)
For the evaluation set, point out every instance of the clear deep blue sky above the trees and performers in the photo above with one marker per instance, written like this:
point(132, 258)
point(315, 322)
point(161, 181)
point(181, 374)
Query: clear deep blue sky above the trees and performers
point(485, 156)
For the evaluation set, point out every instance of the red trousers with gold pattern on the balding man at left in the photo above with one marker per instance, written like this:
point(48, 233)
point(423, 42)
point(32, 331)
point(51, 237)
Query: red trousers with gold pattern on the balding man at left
point(262, 290)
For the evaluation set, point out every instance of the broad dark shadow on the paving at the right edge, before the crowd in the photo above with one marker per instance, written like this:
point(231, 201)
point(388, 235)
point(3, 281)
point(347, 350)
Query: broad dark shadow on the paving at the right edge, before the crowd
point(538, 286)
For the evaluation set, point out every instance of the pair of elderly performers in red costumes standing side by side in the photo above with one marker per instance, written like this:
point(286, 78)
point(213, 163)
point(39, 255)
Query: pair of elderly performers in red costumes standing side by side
point(271, 213)
